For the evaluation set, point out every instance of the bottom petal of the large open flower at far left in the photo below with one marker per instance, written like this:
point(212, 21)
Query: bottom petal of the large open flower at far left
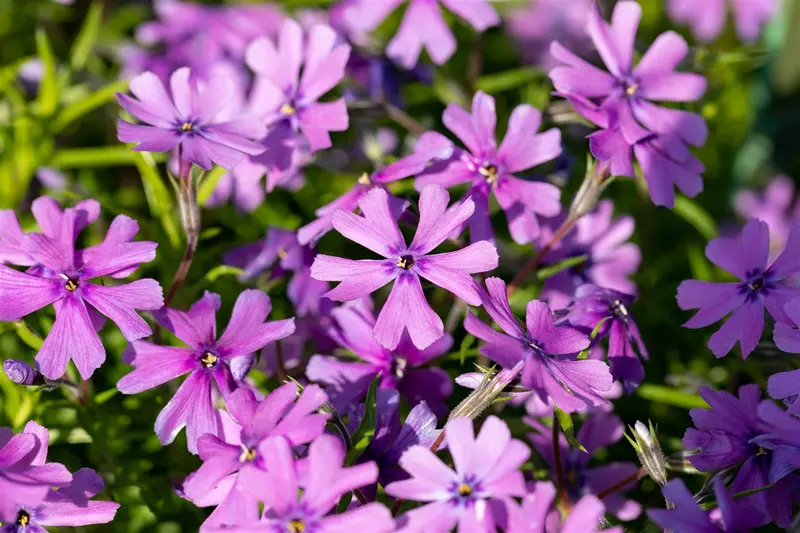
point(71, 337)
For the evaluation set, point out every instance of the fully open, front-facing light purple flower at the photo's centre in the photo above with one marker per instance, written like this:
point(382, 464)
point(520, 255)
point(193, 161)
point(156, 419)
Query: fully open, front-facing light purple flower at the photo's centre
point(406, 308)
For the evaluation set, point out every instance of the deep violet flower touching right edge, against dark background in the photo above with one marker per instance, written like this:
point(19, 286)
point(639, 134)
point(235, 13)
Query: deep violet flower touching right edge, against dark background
point(759, 286)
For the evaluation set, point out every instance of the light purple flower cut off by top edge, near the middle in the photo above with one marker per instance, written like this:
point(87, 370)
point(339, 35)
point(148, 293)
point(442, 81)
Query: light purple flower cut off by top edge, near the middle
point(423, 25)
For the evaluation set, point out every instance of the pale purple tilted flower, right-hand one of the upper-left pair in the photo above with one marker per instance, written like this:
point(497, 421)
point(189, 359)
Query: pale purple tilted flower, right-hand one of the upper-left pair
point(286, 101)
